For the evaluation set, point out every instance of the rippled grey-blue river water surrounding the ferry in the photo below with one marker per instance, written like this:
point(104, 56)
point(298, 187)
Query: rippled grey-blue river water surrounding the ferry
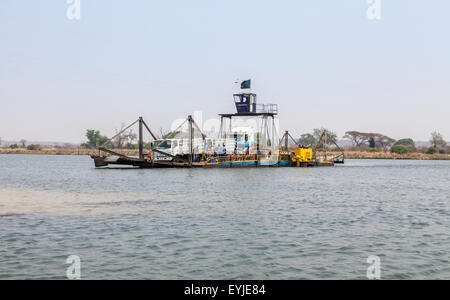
point(267, 223)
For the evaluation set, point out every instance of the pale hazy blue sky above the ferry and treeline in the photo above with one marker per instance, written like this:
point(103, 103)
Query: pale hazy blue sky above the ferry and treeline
point(324, 62)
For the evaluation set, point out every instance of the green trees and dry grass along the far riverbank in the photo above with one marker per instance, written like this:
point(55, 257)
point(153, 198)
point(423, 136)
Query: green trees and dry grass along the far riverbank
point(363, 145)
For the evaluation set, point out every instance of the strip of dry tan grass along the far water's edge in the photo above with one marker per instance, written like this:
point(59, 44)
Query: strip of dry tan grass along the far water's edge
point(348, 154)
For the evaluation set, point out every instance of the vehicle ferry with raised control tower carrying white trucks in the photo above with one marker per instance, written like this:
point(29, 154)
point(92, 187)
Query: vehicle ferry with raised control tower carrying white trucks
point(234, 146)
